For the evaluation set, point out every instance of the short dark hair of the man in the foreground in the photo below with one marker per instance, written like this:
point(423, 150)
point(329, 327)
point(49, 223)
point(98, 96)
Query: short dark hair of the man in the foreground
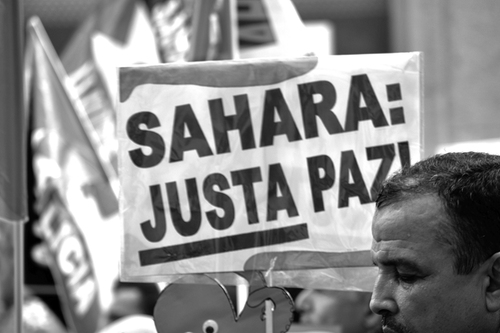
point(468, 185)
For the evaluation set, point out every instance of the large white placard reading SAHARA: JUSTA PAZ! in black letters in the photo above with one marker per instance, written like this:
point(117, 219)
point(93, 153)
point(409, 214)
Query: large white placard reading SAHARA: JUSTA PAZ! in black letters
point(264, 164)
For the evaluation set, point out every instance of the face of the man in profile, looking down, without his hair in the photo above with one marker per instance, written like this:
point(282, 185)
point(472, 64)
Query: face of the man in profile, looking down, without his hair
point(417, 289)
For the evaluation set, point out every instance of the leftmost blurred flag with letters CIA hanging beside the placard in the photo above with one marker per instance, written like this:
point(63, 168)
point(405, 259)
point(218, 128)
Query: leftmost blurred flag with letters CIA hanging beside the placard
point(74, 198)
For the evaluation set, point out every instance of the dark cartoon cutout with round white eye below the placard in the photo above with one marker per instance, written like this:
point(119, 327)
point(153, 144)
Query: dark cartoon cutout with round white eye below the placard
point(206, 307)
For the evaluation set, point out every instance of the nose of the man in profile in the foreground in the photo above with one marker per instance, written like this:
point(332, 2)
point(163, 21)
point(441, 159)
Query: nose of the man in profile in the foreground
point(383, 301)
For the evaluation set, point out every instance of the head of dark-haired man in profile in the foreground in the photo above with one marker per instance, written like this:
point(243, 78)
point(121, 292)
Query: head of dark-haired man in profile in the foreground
point(436, 241)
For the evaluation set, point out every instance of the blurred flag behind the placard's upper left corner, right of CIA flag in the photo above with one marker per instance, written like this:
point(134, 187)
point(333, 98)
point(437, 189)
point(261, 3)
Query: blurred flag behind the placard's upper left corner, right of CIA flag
point(116, 32)
